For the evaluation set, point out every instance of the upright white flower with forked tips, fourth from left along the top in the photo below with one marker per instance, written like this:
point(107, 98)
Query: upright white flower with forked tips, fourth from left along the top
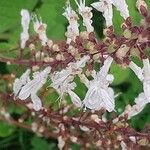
point(86, 14)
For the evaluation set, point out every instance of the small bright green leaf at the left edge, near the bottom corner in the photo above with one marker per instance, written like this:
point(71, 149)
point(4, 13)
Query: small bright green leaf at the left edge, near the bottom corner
point(6, 129)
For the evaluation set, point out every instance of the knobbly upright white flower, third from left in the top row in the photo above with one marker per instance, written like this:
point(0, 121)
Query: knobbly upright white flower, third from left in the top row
point(73, 28)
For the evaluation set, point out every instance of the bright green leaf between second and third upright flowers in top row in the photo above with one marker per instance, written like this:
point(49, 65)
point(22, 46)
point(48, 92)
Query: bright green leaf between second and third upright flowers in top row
point(51, 13)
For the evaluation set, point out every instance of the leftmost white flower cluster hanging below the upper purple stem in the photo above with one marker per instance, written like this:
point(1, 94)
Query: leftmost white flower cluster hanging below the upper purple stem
point(25, 87)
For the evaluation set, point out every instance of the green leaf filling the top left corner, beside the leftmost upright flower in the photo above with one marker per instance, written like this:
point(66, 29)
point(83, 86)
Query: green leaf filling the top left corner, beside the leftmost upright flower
point(10, 13)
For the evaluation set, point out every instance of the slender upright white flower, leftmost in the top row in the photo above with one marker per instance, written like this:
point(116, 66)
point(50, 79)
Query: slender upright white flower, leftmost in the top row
point(25, 21)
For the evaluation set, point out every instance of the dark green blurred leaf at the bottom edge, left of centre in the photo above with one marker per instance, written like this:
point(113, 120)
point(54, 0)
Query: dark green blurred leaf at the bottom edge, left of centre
point(41, 144)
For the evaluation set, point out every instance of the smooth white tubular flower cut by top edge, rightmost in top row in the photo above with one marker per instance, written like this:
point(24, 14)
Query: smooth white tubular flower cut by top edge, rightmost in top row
point(122, 6)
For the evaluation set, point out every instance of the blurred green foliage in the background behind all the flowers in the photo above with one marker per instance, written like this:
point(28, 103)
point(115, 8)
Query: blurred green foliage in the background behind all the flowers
point(50, 11)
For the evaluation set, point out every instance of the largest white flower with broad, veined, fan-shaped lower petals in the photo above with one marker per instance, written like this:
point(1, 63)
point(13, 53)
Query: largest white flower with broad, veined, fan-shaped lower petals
point(99, 95)
